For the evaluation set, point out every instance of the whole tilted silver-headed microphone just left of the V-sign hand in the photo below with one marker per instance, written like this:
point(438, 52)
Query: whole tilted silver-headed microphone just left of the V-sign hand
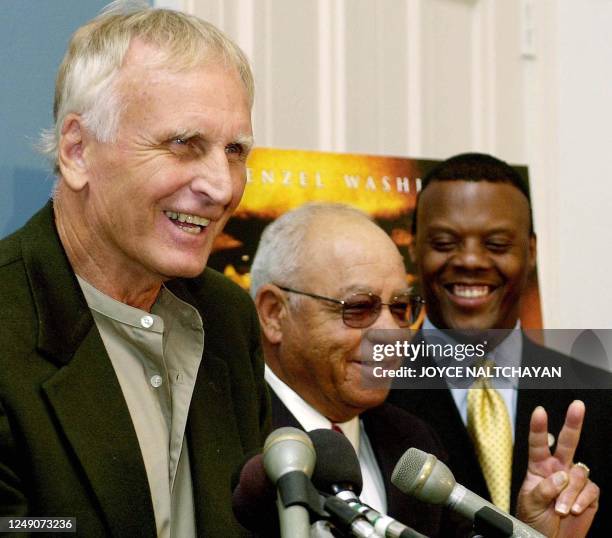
point(421, 475)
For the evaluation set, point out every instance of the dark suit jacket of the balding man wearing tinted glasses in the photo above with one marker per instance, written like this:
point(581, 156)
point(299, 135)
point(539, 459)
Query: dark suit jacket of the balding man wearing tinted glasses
point(391, 432)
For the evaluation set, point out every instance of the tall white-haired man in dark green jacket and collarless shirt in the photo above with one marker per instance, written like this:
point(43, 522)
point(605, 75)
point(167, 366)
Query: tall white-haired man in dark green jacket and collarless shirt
point(131, 379)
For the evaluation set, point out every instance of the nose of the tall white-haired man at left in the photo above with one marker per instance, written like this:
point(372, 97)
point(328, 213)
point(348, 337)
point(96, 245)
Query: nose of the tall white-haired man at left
point(213, 178)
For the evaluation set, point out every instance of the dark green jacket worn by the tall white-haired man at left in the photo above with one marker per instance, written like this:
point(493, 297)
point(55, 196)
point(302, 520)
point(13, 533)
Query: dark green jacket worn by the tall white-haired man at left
point(67, 443)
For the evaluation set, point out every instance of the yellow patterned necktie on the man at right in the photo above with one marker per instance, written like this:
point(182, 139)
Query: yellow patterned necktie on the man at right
point(491, 432)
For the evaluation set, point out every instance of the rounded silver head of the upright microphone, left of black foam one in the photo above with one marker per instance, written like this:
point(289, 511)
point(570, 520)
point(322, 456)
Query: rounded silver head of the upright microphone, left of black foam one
point(287, 450)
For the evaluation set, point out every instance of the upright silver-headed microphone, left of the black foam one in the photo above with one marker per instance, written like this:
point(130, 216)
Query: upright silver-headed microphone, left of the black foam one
point(289, 459)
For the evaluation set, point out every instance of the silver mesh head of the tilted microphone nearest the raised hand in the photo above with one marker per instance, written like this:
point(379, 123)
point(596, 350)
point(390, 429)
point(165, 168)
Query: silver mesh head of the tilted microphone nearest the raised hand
point(421, 475)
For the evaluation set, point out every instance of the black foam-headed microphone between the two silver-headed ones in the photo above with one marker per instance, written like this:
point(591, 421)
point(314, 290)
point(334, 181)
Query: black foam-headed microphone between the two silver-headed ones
point(337, 471)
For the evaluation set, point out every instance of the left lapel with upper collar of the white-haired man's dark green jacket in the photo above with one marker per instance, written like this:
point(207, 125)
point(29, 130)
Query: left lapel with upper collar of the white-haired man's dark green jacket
point(84, 394)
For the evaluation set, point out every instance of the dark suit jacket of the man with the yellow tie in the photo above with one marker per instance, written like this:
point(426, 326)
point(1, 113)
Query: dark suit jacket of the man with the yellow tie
point(437, 408)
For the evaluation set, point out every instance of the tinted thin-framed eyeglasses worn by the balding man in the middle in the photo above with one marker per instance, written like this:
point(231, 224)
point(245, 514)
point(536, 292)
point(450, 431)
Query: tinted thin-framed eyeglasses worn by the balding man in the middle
point(362, 309)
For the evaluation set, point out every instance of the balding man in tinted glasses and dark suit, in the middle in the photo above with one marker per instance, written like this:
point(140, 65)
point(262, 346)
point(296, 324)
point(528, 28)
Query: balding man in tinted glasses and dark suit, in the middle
point(322, 275)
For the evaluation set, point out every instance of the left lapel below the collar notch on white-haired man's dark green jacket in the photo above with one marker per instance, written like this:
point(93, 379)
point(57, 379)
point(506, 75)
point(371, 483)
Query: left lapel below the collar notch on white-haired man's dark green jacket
point(88, 403)
